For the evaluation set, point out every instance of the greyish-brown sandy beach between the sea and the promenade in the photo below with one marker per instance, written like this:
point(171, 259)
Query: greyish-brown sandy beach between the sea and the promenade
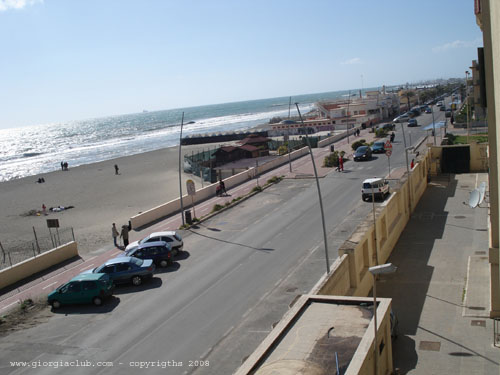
point(99, 196)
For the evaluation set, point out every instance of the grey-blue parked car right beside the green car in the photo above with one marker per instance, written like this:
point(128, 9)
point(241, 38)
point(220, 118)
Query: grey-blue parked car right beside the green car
point(126, 269)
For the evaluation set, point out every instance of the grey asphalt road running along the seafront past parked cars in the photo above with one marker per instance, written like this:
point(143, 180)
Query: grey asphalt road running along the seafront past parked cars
point(240, 272)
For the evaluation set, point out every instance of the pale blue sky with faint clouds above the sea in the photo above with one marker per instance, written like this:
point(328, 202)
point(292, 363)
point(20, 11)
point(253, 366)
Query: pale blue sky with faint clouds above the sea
point(66, 60)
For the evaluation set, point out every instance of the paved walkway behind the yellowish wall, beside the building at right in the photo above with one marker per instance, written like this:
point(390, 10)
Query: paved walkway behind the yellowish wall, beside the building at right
point(441, 289)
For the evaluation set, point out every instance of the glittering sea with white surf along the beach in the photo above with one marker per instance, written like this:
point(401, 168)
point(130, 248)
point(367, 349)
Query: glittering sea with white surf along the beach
point(38, 149)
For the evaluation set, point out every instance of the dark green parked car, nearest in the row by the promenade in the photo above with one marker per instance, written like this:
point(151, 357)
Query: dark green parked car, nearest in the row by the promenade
point(84, 288)
